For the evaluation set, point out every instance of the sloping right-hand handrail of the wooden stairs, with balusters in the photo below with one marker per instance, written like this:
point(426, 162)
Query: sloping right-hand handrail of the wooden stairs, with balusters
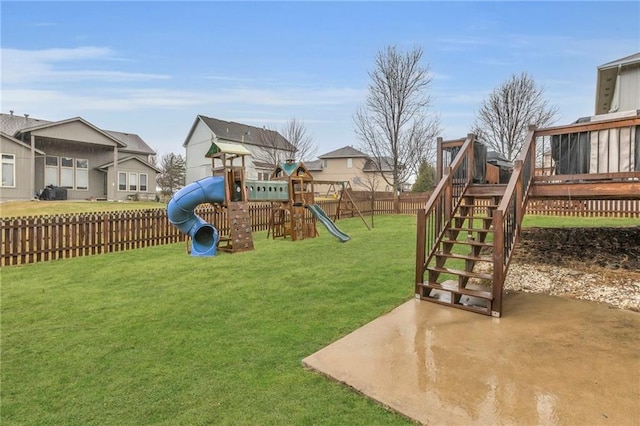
point(507, 218)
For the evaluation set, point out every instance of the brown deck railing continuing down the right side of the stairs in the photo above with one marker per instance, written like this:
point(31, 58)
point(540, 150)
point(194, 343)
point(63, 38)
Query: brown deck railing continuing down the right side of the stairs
point(603, 150)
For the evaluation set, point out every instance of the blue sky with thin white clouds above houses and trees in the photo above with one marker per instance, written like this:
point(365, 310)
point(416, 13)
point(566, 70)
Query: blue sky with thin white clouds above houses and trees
point(150, 67)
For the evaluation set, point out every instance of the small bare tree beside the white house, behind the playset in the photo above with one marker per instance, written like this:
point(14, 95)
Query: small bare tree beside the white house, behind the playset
point(292, 143)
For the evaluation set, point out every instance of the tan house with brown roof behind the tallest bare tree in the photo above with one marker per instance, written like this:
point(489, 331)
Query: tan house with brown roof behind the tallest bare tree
point(348, 164)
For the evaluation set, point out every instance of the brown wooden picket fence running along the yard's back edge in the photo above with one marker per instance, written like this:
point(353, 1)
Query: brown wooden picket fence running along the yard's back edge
point(43, 238)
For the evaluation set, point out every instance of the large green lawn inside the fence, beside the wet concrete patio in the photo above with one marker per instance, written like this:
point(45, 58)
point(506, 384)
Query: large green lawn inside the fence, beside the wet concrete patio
point(154, 336)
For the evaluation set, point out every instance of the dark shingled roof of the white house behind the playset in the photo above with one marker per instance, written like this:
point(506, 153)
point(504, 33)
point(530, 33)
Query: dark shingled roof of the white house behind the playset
point(243, 133)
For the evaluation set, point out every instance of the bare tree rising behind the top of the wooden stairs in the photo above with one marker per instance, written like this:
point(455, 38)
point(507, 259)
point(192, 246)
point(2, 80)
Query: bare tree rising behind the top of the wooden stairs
point(503, 118)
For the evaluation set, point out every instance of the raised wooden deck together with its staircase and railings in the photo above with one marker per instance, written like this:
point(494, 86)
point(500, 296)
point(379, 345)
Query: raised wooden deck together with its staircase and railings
point(468, 230)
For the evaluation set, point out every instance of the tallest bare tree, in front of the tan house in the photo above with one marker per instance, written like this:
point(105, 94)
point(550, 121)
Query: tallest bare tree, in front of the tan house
point(394, 127)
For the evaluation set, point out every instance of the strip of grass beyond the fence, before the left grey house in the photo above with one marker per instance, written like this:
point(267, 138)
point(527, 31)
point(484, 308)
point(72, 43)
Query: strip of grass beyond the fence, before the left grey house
point(44, 208)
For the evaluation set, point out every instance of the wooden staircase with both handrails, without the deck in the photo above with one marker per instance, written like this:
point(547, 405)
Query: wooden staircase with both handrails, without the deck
point(468, 230)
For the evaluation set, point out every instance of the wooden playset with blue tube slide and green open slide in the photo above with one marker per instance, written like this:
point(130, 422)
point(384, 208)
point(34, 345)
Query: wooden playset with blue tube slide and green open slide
point(290, 193)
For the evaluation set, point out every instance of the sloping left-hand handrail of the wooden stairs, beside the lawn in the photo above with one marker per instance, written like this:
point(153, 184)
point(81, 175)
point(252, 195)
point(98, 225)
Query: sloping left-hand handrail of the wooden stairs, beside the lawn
point(444, 200)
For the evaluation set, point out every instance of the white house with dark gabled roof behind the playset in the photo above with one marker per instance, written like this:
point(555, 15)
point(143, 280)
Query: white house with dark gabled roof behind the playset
point(267, 147)
